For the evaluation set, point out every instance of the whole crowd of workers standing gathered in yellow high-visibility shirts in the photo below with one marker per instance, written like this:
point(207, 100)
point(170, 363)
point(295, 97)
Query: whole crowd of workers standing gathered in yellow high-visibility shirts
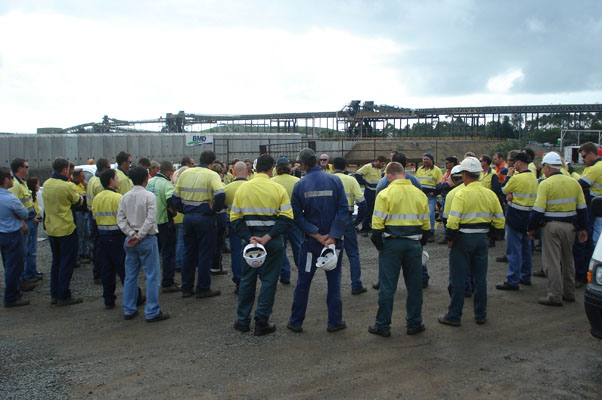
point(150, 215)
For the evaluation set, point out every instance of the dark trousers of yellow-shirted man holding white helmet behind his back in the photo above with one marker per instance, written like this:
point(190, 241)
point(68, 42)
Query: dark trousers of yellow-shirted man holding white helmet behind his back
point(268, 275)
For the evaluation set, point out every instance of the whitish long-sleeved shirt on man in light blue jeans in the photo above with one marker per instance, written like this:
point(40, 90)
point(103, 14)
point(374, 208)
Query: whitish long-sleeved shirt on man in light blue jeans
point(137, 213)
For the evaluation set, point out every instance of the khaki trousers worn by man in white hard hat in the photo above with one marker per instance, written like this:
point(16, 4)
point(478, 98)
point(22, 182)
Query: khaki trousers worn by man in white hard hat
point(557, 259)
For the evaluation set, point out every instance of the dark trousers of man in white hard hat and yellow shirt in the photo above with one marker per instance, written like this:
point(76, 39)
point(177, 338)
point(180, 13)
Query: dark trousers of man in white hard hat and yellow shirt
point(468, 255)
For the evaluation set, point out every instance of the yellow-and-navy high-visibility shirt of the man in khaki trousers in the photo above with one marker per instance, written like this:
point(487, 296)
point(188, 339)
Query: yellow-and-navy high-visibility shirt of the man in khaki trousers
point(559, 197)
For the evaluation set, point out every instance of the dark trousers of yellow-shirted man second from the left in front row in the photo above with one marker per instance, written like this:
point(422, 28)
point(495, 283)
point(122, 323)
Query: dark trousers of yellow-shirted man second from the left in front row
point(64, 254)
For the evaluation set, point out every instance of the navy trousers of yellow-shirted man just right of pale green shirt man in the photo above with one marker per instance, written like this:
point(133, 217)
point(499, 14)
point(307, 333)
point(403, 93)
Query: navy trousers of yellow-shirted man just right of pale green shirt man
point(199, 244)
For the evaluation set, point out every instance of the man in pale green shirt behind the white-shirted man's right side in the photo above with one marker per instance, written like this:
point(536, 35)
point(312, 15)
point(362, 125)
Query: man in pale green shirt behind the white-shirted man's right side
point(160, 185)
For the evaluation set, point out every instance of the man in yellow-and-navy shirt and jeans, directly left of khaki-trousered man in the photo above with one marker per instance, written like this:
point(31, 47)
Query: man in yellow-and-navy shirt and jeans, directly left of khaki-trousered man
point(520, 190)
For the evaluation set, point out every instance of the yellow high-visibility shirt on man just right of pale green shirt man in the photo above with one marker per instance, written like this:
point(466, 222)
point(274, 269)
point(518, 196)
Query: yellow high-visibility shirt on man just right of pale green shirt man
point(196, 187)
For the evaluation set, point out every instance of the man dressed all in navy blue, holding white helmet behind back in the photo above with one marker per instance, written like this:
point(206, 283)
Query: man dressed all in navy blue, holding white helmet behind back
point(321, 209)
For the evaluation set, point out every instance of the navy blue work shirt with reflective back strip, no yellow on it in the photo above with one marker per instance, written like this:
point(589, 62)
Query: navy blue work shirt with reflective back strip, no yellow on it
point(320, 204)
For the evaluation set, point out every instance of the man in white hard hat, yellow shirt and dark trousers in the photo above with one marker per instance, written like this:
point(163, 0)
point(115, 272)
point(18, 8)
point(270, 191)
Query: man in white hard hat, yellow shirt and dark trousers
point(475, 213)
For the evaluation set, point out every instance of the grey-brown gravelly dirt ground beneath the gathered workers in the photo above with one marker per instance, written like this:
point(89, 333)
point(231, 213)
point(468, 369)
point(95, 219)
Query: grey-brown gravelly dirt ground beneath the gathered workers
point(84, 351)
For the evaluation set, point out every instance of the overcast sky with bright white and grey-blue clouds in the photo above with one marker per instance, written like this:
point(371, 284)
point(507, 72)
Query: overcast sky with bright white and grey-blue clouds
point(68, 62)
